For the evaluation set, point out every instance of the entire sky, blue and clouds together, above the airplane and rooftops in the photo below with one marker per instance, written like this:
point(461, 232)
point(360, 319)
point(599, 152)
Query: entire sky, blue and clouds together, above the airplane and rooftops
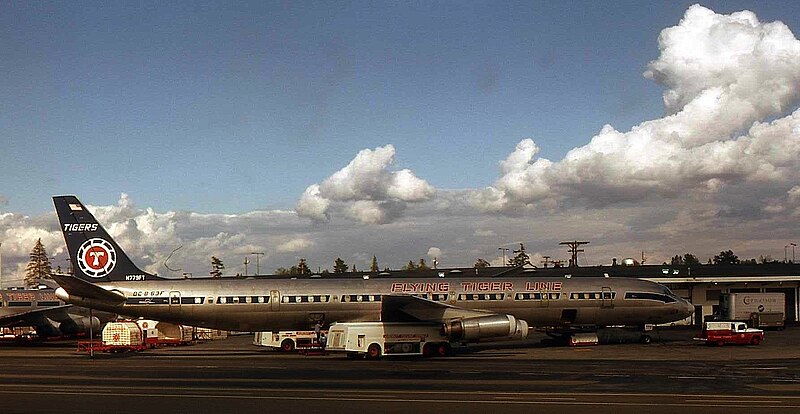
point(401, 130)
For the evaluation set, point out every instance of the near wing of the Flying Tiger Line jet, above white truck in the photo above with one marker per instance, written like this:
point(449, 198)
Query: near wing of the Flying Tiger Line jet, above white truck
point(405, 308)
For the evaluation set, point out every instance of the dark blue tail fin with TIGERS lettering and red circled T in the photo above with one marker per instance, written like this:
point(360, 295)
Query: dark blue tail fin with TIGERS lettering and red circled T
point(94, 255)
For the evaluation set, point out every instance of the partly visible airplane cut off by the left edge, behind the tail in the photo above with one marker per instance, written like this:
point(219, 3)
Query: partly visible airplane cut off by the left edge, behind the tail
point(49, 316)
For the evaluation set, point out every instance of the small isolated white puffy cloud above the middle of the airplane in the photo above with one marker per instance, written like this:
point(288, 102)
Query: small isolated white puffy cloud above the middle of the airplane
point(366, 190)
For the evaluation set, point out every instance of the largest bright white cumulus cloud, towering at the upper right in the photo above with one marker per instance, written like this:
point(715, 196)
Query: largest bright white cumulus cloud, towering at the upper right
point(725, 76)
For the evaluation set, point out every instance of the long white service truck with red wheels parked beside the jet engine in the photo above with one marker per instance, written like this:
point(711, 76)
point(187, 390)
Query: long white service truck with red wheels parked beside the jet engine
point(375, 339)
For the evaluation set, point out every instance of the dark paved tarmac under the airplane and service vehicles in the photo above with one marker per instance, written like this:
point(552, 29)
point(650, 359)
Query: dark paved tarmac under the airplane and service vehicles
point(674, 373)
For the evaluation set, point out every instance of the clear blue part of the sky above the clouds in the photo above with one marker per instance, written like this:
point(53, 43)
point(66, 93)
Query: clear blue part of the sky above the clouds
point(232, 107)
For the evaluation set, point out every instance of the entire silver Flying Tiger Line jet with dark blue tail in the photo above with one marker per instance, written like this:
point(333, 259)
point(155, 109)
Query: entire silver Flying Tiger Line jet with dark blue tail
point(469, 307)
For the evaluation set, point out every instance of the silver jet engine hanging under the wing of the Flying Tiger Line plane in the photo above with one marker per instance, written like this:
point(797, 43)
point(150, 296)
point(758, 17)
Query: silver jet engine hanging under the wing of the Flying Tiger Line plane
point(486, 327)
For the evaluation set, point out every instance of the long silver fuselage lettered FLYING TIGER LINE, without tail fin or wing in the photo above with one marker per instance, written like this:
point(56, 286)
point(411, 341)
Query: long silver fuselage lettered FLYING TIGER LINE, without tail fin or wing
point(260, 304)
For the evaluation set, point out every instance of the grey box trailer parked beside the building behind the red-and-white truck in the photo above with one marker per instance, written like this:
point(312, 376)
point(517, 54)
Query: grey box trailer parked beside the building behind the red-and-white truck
point(758, 309)
